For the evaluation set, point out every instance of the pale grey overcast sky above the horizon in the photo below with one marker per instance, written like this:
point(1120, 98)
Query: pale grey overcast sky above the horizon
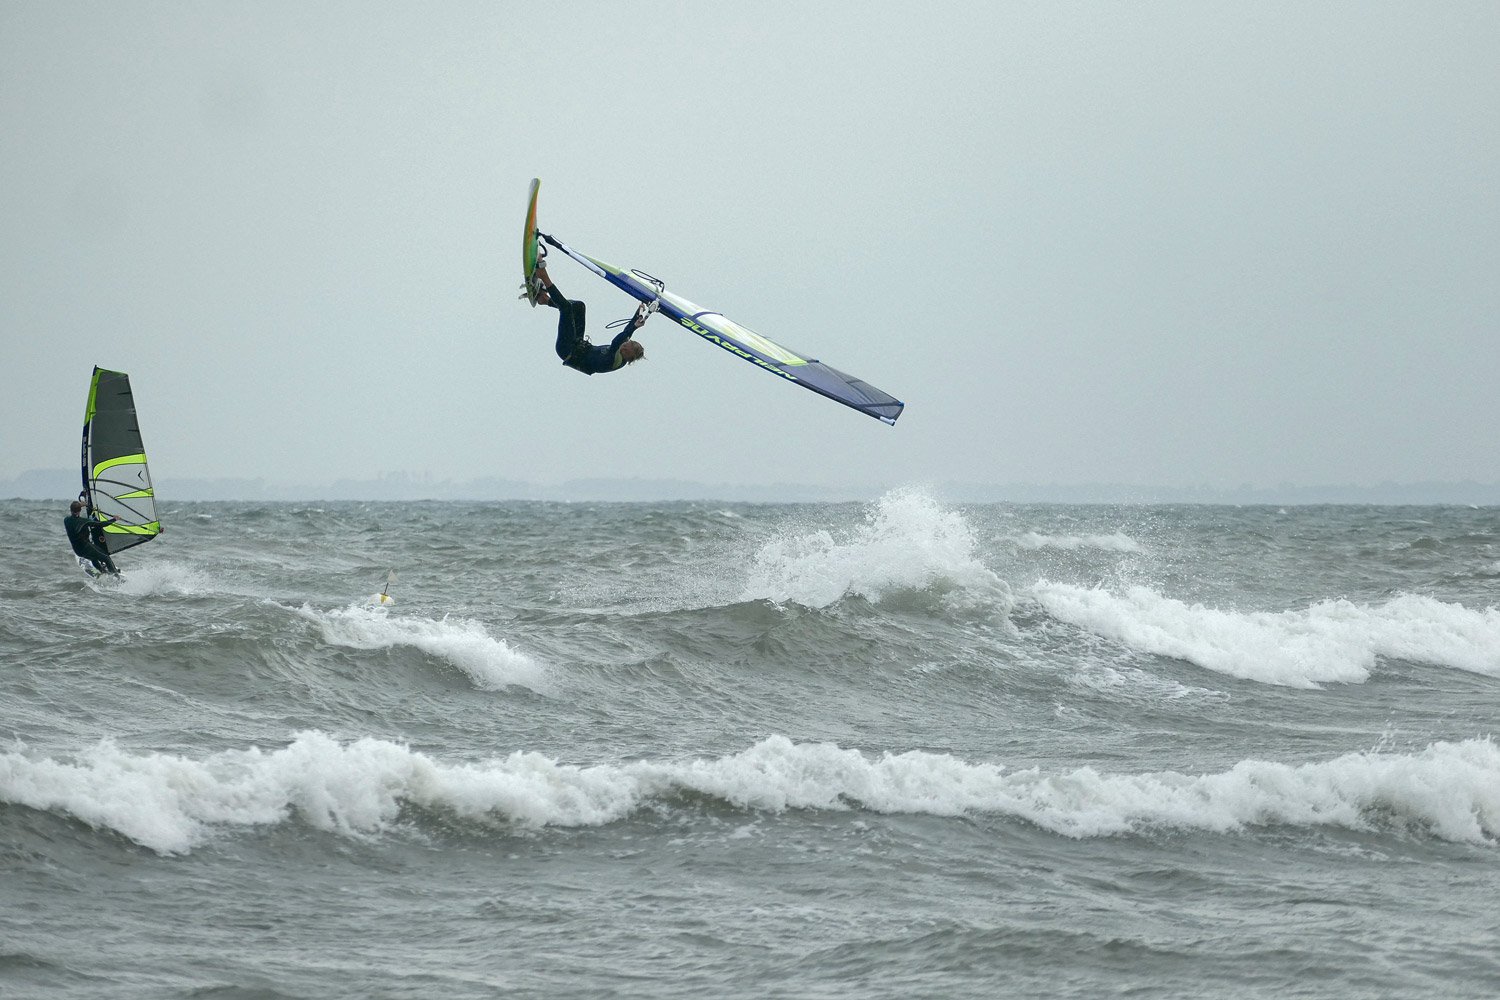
point(1153, 244)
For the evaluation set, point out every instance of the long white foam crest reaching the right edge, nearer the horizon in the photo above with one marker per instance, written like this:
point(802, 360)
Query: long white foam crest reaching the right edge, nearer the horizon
point(1330, 642)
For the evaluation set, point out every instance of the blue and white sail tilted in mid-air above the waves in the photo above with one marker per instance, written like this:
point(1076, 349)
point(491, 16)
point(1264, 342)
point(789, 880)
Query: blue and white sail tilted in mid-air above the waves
point(743, 343)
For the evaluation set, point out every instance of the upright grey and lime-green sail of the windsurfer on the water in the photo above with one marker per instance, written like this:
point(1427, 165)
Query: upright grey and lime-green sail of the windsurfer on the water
point(116, 481)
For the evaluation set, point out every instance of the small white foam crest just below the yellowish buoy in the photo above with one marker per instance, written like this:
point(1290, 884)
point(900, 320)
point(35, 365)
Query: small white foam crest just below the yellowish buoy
point(490, 662)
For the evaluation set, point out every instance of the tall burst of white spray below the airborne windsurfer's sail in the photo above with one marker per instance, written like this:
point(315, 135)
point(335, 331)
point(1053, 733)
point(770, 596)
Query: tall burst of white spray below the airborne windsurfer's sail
point(907, 543)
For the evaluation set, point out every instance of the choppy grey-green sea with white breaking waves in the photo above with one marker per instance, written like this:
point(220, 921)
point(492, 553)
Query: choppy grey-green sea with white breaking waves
point(893, 749)
